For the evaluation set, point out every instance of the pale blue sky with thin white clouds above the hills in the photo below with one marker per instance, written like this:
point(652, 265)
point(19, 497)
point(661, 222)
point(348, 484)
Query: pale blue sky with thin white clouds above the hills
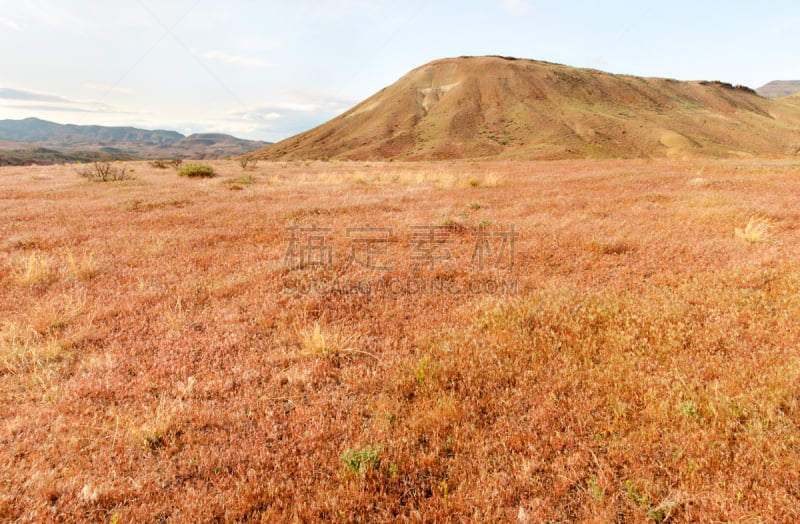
point(267, 70)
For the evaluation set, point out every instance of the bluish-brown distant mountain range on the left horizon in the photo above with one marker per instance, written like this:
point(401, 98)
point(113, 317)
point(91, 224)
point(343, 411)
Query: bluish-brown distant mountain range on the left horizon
point(35, 141)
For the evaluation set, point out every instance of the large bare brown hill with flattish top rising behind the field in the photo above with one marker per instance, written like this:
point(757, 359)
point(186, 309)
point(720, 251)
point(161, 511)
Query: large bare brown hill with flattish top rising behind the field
point(492, 106)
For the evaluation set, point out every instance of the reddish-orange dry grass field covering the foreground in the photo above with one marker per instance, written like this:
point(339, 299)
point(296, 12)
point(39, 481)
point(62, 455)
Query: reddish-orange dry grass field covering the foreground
point(170, 348)
